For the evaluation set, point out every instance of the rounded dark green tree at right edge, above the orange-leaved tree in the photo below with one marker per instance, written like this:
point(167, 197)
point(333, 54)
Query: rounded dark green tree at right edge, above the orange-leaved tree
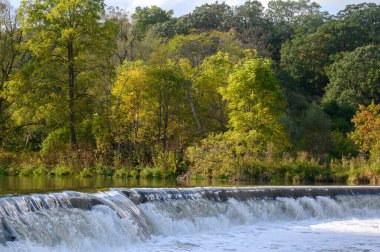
point(355, 79)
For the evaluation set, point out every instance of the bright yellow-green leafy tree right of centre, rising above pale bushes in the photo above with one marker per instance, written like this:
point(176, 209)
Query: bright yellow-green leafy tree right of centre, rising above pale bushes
point(255, 103)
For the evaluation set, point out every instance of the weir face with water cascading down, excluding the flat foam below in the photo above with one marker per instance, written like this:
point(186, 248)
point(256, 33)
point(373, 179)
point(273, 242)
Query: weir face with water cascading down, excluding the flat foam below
point(139, 213)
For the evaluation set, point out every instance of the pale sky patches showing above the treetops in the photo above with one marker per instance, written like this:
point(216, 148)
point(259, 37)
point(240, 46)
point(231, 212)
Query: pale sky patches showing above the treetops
point(181, 7)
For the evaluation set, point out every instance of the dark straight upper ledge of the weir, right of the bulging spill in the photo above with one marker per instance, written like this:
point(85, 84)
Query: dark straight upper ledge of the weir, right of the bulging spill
point(142, 195)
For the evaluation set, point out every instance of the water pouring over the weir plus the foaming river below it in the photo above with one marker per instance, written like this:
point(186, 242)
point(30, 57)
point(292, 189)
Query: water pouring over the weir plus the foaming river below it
point(318, 218)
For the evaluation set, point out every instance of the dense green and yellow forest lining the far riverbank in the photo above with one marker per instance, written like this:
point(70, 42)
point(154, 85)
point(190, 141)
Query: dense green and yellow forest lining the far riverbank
point(287, 92)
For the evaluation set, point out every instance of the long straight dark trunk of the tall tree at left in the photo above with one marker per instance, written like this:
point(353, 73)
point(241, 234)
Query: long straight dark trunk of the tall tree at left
point(73, 137)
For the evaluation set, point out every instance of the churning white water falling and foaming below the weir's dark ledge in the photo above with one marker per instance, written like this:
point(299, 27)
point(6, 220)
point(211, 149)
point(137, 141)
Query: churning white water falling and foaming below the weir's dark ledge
point(348, 223)
